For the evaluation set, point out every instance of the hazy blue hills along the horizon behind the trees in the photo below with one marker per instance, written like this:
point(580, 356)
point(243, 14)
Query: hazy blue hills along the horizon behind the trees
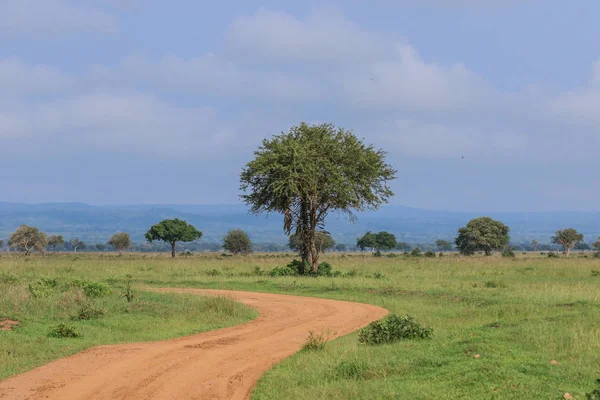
point(95, 224)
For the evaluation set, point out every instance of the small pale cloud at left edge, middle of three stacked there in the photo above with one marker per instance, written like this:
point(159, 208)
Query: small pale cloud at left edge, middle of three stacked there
point(17, 77)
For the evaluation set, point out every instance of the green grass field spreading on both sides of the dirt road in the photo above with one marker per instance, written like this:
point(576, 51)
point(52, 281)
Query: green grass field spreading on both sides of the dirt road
point(517, 314)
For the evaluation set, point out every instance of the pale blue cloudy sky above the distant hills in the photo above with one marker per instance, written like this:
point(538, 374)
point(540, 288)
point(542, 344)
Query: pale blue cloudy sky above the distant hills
point(481, 105)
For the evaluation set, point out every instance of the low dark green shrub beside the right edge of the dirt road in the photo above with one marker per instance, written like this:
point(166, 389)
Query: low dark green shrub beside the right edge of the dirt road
point(391, 329)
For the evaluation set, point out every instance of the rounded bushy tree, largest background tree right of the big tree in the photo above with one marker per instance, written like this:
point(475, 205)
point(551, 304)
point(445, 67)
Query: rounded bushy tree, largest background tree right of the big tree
point(482, 234)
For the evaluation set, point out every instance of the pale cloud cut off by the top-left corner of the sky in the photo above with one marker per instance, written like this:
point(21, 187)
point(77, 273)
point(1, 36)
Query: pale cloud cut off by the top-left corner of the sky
point(18, 17)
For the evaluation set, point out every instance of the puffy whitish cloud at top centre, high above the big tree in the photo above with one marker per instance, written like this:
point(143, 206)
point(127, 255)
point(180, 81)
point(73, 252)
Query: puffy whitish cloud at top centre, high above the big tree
point(325, 35)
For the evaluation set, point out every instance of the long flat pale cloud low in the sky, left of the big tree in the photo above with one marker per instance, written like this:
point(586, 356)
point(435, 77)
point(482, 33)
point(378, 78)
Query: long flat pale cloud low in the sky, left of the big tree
point(130, 122)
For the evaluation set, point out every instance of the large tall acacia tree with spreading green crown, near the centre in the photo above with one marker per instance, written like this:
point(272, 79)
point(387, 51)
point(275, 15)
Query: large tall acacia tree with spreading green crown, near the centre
point(310, 172)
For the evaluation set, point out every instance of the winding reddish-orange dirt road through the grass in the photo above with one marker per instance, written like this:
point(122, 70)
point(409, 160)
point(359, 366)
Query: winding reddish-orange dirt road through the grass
point(221, 364)
